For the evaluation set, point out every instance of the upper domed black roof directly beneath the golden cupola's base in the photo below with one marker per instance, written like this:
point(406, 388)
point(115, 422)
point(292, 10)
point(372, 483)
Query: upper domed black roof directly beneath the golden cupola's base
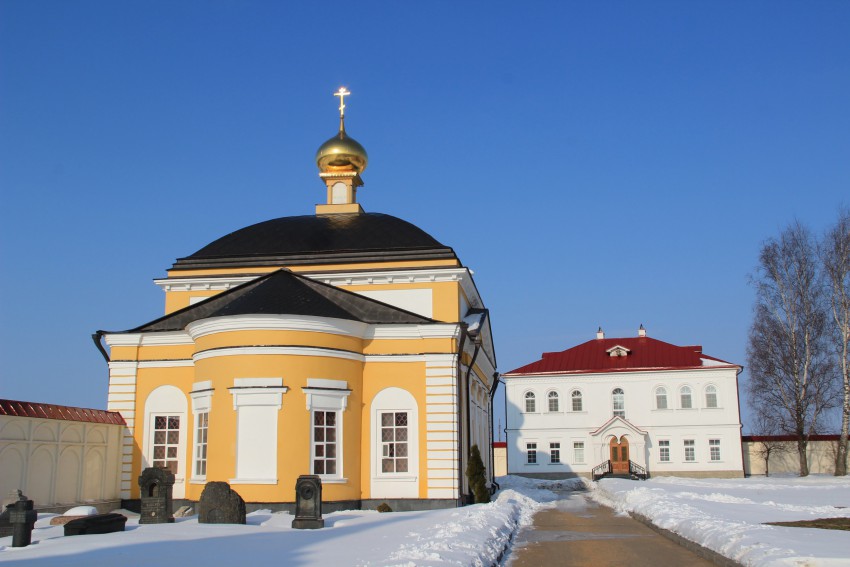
point(314, 239)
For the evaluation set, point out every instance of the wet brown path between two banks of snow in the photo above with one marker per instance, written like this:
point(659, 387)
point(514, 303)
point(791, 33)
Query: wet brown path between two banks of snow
point(582, 533)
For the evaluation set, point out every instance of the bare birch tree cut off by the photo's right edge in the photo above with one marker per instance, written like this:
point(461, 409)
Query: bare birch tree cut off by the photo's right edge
point(835, 255)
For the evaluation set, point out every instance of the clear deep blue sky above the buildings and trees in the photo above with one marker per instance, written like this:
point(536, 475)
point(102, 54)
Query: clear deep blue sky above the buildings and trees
point(606, 163)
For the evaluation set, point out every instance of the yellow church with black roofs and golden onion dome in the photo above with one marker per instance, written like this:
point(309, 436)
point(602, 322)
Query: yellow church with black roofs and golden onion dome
point(346, 344)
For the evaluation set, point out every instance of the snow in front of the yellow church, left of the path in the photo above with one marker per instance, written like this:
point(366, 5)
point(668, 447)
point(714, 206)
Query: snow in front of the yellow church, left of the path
point(473, 535)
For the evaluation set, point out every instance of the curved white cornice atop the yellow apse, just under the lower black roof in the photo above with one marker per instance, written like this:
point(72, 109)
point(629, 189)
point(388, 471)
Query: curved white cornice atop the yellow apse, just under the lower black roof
point(214, 325)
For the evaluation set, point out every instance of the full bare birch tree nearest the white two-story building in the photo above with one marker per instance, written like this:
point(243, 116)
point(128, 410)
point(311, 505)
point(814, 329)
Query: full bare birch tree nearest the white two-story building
point(790, 378)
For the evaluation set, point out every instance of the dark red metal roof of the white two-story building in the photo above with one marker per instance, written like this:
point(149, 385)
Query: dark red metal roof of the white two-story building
point(644, 353)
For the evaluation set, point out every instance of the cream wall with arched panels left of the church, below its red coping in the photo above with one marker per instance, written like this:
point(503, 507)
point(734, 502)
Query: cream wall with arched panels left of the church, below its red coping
point(57, 462)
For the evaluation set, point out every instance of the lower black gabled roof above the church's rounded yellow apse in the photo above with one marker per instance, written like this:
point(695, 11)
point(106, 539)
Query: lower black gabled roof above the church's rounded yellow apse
point(284, 293)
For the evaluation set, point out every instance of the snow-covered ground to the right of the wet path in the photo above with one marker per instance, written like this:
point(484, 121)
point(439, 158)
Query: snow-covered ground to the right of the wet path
point(728, 515)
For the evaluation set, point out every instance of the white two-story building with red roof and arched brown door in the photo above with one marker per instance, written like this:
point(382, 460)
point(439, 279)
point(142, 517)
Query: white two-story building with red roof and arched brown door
point(624, 405)
